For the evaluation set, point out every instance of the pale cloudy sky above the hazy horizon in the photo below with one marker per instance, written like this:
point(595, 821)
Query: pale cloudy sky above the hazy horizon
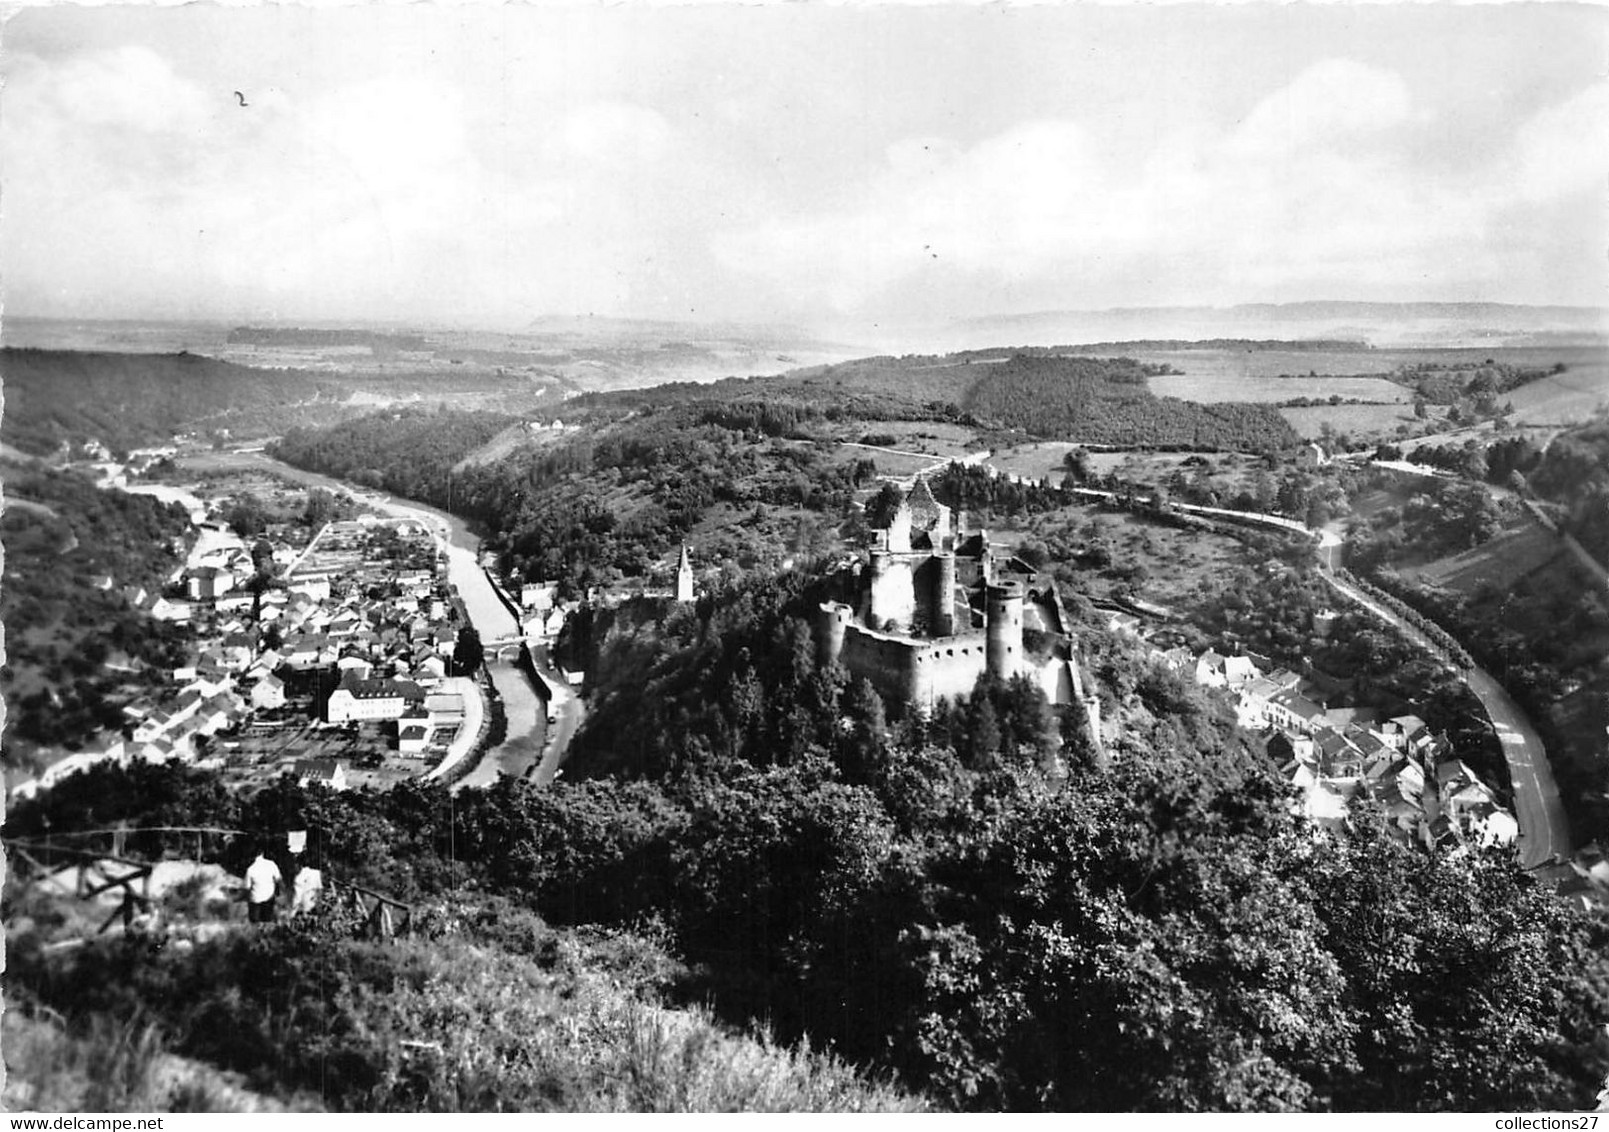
point(807, 165)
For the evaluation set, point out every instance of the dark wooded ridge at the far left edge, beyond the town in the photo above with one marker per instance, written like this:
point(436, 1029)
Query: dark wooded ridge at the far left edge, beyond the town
point(130, 401)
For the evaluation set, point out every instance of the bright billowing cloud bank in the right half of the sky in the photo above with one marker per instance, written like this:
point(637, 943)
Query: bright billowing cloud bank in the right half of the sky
point(1320, 189)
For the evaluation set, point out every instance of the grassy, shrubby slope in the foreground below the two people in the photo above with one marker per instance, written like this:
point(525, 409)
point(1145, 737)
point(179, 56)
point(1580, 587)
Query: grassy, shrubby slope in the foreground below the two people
point(496, 1014)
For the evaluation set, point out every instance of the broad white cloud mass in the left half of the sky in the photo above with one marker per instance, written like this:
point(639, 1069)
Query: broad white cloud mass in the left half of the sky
point(368, 199)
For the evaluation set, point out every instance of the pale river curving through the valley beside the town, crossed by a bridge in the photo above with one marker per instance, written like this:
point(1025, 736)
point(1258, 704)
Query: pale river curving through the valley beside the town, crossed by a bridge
point(527, 713)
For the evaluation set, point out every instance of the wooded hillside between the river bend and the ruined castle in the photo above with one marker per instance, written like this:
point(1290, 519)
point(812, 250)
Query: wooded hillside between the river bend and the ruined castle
point(607, 502)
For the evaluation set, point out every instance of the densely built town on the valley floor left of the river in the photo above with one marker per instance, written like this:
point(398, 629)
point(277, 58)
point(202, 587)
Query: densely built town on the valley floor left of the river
point(340, 655)
